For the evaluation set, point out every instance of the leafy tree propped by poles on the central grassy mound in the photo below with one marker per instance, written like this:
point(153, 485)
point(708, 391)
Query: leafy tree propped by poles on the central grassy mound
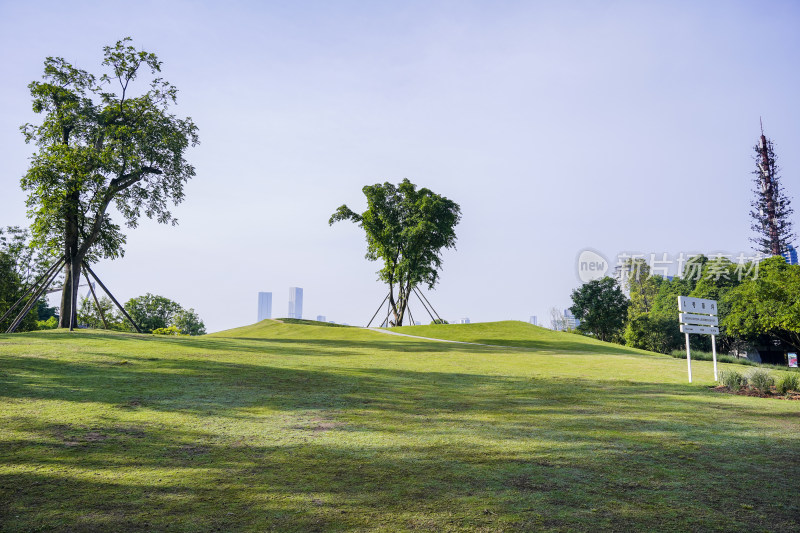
point(406, 228)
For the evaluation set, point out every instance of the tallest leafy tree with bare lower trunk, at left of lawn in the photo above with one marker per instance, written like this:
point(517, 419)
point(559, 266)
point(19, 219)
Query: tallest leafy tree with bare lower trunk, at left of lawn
point(102, 143)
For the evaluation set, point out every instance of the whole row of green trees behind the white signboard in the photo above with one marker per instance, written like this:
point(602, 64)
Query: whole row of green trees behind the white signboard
point(759, 305)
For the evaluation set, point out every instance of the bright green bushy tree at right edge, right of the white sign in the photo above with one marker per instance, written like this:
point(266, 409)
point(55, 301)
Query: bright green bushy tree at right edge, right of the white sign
point(767, 305)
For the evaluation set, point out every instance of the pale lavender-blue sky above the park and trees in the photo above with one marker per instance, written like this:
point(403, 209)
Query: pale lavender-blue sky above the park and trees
point(620, 127)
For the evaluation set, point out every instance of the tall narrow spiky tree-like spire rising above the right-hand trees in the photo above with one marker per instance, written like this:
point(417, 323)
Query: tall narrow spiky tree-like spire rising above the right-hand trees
point(771, 208)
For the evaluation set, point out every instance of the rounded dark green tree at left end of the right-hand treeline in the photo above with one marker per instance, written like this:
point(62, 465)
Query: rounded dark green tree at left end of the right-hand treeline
point(601, 308)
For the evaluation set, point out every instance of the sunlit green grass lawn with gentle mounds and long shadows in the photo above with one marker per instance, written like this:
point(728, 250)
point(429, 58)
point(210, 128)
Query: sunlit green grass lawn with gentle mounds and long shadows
point(293, 427)
